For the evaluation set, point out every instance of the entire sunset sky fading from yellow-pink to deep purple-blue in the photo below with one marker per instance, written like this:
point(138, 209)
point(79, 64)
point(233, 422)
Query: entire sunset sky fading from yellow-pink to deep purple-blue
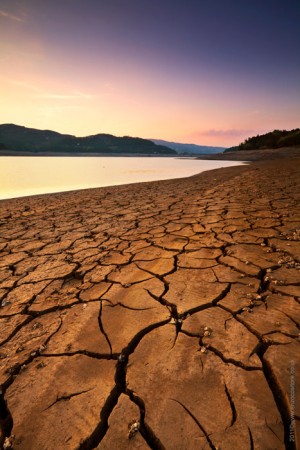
point(209, 72)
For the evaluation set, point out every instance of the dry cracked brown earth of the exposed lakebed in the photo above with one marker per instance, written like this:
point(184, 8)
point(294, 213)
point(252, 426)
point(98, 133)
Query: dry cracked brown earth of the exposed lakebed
point(158, 315)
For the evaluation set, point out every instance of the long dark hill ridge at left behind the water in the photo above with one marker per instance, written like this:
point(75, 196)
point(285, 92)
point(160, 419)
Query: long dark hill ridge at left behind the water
point(21, 139)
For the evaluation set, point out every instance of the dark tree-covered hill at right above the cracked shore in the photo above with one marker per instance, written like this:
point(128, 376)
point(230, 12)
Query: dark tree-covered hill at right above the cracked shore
point(274, 139)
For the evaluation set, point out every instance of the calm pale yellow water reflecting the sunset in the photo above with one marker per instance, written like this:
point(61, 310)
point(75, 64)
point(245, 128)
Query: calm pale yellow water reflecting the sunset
point(21, 176)
